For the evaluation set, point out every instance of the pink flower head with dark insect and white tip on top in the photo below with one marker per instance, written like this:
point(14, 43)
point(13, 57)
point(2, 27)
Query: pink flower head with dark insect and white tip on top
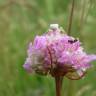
point(57, 54)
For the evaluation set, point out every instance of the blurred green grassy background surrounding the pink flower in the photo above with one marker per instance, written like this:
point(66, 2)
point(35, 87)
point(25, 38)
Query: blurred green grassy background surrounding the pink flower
point(20, 22)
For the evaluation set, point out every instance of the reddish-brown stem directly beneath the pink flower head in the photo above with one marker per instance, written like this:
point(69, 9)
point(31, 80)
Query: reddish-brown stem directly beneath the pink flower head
point(58, 82)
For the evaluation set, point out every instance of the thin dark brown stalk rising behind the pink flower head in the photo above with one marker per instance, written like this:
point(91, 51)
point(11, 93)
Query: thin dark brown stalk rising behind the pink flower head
point(71, 17)
